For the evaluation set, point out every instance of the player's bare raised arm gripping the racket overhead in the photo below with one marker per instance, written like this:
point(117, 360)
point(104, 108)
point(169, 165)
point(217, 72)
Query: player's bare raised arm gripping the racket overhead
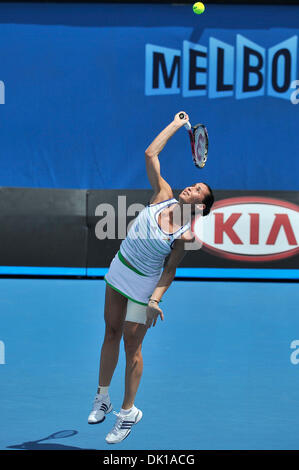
point(161, 188)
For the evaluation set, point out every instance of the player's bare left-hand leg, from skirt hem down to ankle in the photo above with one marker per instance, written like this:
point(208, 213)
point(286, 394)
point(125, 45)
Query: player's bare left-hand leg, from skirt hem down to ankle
point(115, 312)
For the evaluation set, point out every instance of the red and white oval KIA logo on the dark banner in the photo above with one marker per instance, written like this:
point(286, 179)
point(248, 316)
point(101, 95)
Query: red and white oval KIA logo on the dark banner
point(250, 229)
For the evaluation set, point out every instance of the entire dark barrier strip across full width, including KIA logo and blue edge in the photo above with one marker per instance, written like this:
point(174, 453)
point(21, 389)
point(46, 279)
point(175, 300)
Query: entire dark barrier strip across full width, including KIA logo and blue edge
point(248, 234)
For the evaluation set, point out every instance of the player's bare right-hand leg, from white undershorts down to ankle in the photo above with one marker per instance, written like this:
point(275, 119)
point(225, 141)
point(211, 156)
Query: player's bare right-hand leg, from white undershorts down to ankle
point(133, 336)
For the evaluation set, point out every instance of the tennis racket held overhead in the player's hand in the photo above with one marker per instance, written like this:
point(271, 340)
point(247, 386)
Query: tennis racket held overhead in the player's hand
point(199, 140)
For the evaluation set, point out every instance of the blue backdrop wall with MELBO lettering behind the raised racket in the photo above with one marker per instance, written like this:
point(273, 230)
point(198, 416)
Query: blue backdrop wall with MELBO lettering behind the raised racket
point(81, 101)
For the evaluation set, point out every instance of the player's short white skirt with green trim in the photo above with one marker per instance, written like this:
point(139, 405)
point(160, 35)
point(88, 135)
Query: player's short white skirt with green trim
point(127, 282)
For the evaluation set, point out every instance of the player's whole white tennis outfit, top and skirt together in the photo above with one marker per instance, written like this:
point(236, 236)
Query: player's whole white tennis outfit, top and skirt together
point(145, 248)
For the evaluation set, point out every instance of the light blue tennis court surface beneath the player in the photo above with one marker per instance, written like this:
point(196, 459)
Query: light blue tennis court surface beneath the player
point(217, 372)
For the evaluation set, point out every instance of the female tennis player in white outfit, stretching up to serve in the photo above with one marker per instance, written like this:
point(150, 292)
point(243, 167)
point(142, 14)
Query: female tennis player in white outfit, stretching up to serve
point(136, 281)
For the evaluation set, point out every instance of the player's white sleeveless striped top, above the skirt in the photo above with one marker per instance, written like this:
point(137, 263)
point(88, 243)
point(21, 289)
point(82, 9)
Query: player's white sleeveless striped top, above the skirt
point(147, 245)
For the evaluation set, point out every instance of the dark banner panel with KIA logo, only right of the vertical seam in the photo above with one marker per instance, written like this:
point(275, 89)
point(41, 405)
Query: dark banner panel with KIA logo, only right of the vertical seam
point(253, 233)
